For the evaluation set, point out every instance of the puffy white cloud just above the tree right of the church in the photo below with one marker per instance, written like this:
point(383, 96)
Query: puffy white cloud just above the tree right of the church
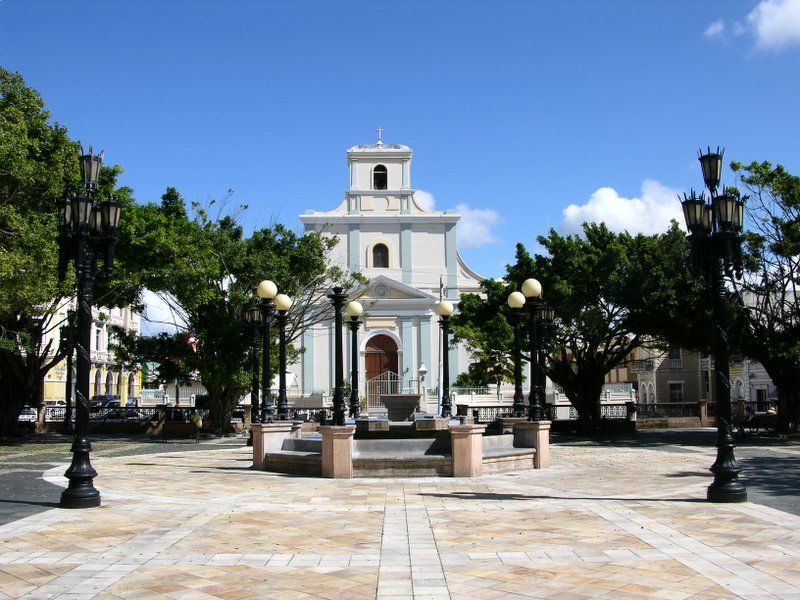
point(651, 213)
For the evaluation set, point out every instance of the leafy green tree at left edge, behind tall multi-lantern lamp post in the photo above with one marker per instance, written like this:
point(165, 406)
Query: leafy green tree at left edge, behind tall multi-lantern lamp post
point(38, 162)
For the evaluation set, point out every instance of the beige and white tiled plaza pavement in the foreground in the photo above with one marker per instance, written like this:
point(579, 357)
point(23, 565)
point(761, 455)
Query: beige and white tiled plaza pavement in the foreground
point(600, 523)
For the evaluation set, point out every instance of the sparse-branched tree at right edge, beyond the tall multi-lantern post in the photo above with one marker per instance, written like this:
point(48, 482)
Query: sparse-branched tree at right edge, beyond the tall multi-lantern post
point(770, 317)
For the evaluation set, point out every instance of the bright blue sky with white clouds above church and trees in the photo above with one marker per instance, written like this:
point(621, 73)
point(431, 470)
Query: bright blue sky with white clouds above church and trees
point(523, 115)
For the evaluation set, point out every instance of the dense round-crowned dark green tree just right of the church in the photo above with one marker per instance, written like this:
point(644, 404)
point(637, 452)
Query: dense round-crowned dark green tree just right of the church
point(612, 292)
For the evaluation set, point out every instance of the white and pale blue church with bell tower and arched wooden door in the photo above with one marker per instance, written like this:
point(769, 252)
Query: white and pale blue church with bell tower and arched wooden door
point(409, 254)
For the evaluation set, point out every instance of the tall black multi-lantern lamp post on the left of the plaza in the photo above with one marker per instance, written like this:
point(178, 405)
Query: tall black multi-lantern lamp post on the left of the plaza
point(87, 230)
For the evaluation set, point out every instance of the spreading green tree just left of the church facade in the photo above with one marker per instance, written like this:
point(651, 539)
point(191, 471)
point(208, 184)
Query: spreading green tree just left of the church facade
point(207, 271)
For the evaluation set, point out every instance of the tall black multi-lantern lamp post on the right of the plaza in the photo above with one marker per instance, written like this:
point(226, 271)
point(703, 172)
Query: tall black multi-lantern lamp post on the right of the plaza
point(715, 228)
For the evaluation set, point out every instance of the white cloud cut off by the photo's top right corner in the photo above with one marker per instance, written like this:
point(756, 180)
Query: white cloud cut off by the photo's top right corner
point(775, 25)
